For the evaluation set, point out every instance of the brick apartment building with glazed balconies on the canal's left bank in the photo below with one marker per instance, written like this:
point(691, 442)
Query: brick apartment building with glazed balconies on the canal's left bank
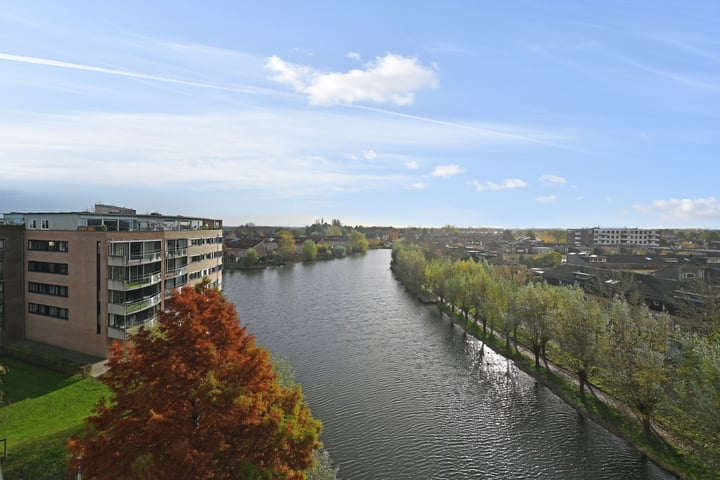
point(80, 280)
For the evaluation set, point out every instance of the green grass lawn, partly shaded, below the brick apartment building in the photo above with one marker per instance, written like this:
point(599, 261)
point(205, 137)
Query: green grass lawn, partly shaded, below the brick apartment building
point(43, 409)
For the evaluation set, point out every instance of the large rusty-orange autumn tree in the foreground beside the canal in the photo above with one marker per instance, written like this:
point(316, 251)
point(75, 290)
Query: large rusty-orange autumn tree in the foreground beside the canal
point(194, 398)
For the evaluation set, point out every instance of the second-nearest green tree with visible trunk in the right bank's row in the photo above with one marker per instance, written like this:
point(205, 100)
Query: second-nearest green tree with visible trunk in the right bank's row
point(581, 331)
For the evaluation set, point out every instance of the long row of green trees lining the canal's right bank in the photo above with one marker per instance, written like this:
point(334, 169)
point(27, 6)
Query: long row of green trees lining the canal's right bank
point(629, 368)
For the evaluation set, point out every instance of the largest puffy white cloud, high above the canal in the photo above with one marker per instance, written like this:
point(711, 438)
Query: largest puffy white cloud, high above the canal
point(392, 79)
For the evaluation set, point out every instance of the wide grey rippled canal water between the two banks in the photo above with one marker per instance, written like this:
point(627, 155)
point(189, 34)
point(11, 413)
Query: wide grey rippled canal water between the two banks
point(404, 394)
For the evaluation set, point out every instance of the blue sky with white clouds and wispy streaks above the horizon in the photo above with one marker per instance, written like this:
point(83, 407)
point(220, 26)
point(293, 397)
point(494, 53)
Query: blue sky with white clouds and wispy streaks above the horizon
point(522, 114)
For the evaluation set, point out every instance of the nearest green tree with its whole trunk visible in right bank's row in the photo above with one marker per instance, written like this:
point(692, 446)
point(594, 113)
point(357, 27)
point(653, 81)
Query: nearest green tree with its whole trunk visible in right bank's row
point(638, 342)
